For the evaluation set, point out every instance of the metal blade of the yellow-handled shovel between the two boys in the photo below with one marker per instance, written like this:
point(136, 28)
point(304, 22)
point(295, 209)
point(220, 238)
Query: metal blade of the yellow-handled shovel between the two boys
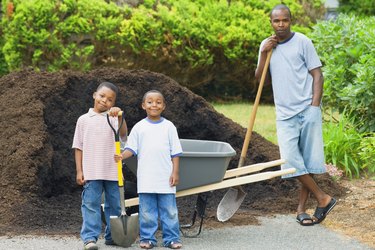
point(124, 229)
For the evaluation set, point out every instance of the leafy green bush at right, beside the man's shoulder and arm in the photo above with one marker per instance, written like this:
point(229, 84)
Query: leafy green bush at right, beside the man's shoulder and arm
point(347, 49)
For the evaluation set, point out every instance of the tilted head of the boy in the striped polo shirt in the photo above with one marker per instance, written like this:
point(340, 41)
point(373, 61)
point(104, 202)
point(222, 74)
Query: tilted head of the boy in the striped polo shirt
point(105, 97)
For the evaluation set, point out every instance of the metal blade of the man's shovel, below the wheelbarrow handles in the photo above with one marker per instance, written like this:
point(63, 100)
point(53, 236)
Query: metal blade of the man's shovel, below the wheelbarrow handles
point(230, 203)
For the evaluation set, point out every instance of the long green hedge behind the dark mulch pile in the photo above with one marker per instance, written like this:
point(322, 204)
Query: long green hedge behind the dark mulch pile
point(209, 46)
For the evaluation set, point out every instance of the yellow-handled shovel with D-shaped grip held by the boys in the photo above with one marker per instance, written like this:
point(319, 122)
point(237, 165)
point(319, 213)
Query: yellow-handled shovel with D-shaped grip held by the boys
point(124, 229)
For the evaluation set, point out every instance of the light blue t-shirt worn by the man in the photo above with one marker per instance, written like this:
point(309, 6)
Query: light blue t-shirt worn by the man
point(292, 83)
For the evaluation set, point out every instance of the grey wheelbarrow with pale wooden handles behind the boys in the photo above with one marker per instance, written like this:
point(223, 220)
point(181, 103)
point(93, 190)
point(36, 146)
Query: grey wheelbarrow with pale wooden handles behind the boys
point(203, 168)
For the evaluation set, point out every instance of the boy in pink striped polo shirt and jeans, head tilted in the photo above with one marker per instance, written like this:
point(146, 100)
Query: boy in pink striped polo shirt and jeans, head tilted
point(96, 170)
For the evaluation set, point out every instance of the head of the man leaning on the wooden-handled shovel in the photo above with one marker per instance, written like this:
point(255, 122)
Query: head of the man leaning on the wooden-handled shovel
point(281, 21)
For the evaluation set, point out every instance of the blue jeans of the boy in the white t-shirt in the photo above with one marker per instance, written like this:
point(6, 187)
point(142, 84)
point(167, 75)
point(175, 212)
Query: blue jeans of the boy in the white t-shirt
point(151, 207)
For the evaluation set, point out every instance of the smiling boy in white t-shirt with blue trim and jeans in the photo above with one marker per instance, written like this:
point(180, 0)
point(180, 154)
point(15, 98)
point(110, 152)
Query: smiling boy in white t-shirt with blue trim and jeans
point(154, 140)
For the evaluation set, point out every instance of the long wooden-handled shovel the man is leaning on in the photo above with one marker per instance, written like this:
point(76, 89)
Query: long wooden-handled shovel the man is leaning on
point(234, 197)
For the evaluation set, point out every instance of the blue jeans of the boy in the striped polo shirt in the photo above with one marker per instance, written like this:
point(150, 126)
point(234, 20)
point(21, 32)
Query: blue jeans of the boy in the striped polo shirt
point(91, 213)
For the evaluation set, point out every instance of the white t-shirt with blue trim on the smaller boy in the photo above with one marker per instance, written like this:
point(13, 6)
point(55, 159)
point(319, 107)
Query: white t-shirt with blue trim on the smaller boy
point(154, 144)
